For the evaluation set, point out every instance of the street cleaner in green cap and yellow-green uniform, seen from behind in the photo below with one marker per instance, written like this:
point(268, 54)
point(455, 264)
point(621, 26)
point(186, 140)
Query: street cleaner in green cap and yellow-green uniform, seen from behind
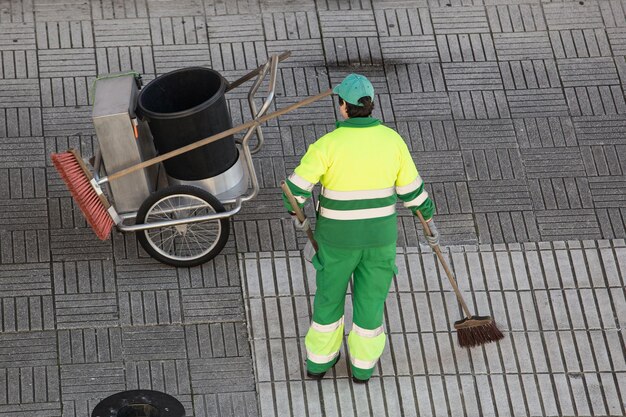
point(363, 167)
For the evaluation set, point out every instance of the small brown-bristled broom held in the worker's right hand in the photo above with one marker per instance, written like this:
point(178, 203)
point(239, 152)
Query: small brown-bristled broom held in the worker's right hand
point(472, 330)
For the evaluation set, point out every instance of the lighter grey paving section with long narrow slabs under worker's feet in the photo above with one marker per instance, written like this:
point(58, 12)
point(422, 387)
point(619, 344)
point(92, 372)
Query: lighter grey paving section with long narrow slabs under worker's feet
point(561, 306)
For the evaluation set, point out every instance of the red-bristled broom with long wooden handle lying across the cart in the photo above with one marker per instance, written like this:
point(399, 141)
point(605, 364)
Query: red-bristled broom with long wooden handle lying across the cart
point(100, 214)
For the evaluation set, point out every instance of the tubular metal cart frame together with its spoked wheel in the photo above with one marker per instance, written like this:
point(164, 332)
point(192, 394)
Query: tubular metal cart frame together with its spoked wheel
point(193, 200)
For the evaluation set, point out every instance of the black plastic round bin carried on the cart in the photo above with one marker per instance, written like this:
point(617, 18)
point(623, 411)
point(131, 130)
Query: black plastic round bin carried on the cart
point(182, 107)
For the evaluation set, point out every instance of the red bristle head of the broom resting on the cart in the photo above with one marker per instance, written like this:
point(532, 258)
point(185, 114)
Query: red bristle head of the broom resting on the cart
point(78, 182)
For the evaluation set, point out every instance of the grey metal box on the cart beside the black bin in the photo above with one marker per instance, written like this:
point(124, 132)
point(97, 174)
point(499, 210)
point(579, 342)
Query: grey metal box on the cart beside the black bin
point(114, 120)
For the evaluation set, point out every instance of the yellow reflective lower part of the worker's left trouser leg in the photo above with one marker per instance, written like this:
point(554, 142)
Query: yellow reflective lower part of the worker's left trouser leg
point(322, 343)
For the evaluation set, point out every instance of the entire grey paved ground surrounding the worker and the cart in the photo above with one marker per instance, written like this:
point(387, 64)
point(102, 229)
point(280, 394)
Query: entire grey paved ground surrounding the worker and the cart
point(515, 113)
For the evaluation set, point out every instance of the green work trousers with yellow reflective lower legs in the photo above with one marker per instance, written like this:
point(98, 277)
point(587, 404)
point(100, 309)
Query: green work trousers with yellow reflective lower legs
point(373, 270)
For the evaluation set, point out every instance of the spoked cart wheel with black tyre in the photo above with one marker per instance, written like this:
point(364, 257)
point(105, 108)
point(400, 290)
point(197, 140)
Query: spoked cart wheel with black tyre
point(187, 244)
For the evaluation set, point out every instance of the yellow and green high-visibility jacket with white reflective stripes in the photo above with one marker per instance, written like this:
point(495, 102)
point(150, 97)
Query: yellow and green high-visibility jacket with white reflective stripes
point(363, 167)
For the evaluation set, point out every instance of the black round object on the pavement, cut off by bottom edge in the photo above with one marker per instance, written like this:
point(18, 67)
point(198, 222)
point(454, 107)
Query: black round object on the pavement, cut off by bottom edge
point(139, 403)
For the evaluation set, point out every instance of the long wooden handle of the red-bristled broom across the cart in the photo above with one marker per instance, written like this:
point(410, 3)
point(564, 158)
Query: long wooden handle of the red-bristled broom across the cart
point(218, 136)
